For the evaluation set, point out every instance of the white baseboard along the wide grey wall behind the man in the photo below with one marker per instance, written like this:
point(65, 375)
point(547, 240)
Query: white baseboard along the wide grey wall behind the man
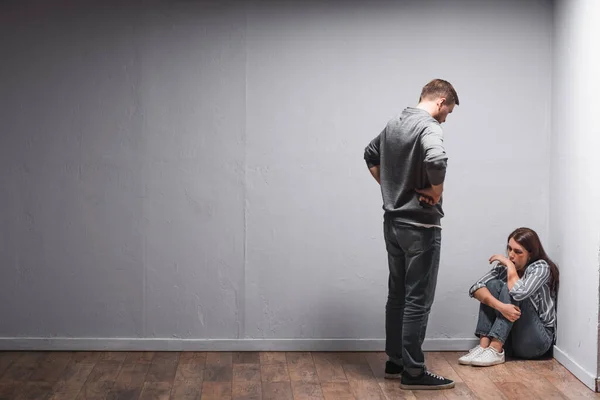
point(135, 344)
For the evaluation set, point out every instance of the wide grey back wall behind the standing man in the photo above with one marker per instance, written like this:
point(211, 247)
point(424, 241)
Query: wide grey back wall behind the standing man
point(193, 171)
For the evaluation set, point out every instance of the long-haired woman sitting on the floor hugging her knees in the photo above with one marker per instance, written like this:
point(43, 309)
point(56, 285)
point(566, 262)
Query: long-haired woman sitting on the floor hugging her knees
point(518, 297)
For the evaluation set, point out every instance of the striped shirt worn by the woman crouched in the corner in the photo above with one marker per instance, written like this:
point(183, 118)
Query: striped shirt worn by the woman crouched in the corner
point(534, 286)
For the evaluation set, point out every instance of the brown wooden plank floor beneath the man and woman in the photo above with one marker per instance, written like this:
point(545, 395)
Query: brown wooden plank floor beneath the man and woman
point(277, 376)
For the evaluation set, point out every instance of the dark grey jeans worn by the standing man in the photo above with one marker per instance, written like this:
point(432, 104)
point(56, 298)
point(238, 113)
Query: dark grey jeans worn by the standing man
point(413, 258)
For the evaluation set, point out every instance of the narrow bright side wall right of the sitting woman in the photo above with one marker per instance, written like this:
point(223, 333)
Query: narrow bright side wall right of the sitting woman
point(575, 217)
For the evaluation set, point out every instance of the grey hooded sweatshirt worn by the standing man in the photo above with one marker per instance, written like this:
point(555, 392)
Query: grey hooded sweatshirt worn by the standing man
point(410, 153)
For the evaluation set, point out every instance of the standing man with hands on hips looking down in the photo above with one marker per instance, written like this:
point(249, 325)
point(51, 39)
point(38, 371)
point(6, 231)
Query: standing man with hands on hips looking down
point(408, 160)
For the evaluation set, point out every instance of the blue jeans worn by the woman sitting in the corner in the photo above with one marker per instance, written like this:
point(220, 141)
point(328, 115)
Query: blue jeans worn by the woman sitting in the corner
point(529, 338)
